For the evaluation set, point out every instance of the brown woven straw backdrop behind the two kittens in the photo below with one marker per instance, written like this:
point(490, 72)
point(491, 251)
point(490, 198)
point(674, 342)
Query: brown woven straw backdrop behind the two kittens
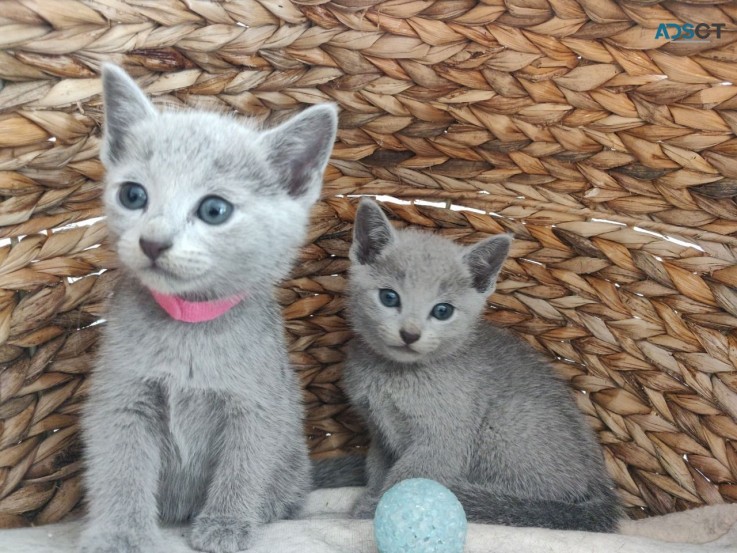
point(583, 135)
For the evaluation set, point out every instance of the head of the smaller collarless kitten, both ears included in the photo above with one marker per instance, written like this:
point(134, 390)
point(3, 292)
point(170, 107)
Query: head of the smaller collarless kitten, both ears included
point(414, 294)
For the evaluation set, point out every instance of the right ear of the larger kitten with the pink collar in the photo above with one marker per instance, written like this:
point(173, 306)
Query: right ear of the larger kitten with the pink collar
point(300, 149)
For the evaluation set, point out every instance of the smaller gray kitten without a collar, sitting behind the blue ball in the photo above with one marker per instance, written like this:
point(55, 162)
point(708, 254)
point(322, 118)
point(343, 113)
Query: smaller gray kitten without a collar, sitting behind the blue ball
point(451, 398)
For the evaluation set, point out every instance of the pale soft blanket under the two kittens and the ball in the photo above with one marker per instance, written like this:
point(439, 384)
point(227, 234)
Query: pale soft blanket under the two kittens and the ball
point(324, 527)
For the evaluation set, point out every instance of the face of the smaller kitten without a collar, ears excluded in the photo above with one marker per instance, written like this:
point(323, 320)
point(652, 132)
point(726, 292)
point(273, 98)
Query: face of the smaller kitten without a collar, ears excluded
point(422, 272)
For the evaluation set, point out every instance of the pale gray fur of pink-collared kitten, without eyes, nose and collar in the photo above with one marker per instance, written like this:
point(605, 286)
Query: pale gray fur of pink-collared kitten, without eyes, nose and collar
point(199, 422)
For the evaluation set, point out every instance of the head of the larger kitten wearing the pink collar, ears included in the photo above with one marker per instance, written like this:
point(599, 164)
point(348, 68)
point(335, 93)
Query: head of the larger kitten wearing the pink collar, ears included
point(201, 205)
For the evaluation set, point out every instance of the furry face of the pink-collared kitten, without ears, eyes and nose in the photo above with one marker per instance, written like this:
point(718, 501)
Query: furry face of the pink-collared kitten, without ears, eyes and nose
point(180, 159)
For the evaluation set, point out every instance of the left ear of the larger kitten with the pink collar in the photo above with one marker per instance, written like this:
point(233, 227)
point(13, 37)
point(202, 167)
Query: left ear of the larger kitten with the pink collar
point(125, 104)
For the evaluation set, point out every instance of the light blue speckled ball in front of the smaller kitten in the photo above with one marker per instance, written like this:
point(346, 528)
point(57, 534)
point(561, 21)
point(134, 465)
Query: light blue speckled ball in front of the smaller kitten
point(420, 516)
